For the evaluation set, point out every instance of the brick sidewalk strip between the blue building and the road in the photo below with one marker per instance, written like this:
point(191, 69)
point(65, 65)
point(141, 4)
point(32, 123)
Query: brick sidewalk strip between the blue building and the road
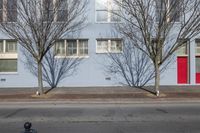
point(102, 94)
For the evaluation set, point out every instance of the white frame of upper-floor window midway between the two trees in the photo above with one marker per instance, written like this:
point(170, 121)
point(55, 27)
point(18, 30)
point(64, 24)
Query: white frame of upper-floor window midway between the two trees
point(108, 10)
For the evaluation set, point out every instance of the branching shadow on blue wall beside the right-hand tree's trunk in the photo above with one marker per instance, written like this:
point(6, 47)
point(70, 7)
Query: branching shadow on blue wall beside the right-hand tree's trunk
point(131, 67)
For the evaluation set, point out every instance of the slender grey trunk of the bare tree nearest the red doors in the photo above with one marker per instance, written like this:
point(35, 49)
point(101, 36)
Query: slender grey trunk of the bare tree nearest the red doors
point(157, 79)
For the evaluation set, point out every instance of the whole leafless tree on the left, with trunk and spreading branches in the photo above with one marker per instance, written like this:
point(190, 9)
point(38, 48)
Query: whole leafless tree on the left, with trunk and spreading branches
point(40, 23)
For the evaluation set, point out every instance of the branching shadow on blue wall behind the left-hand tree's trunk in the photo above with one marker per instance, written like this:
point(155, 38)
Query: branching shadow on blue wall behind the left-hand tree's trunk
point(54, 68)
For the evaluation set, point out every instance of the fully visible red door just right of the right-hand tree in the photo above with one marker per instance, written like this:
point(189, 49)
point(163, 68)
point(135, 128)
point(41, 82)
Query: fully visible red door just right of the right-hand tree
point(182, 72)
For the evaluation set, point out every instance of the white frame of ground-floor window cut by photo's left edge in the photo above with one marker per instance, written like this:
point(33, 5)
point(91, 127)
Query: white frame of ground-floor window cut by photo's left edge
point(8, 55)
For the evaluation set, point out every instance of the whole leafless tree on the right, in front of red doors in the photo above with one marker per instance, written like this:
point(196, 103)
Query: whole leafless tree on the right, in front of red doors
point(158, 27)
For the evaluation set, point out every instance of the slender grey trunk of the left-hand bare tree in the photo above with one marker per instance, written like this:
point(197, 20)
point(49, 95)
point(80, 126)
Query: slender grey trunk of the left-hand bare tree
point(40, 83)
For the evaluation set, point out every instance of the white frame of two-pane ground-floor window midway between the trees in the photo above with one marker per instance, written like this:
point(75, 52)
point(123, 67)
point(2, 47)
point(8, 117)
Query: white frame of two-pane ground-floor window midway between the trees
point(109, 46)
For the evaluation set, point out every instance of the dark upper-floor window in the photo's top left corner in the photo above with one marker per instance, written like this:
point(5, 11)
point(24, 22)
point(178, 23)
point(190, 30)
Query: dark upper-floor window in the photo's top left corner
point(8, 10)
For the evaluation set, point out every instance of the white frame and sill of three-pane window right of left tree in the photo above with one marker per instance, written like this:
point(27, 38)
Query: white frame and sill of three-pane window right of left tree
point(77, 55)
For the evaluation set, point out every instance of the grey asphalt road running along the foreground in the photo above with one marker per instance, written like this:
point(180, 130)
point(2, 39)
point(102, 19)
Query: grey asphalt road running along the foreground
point(102, 118)
